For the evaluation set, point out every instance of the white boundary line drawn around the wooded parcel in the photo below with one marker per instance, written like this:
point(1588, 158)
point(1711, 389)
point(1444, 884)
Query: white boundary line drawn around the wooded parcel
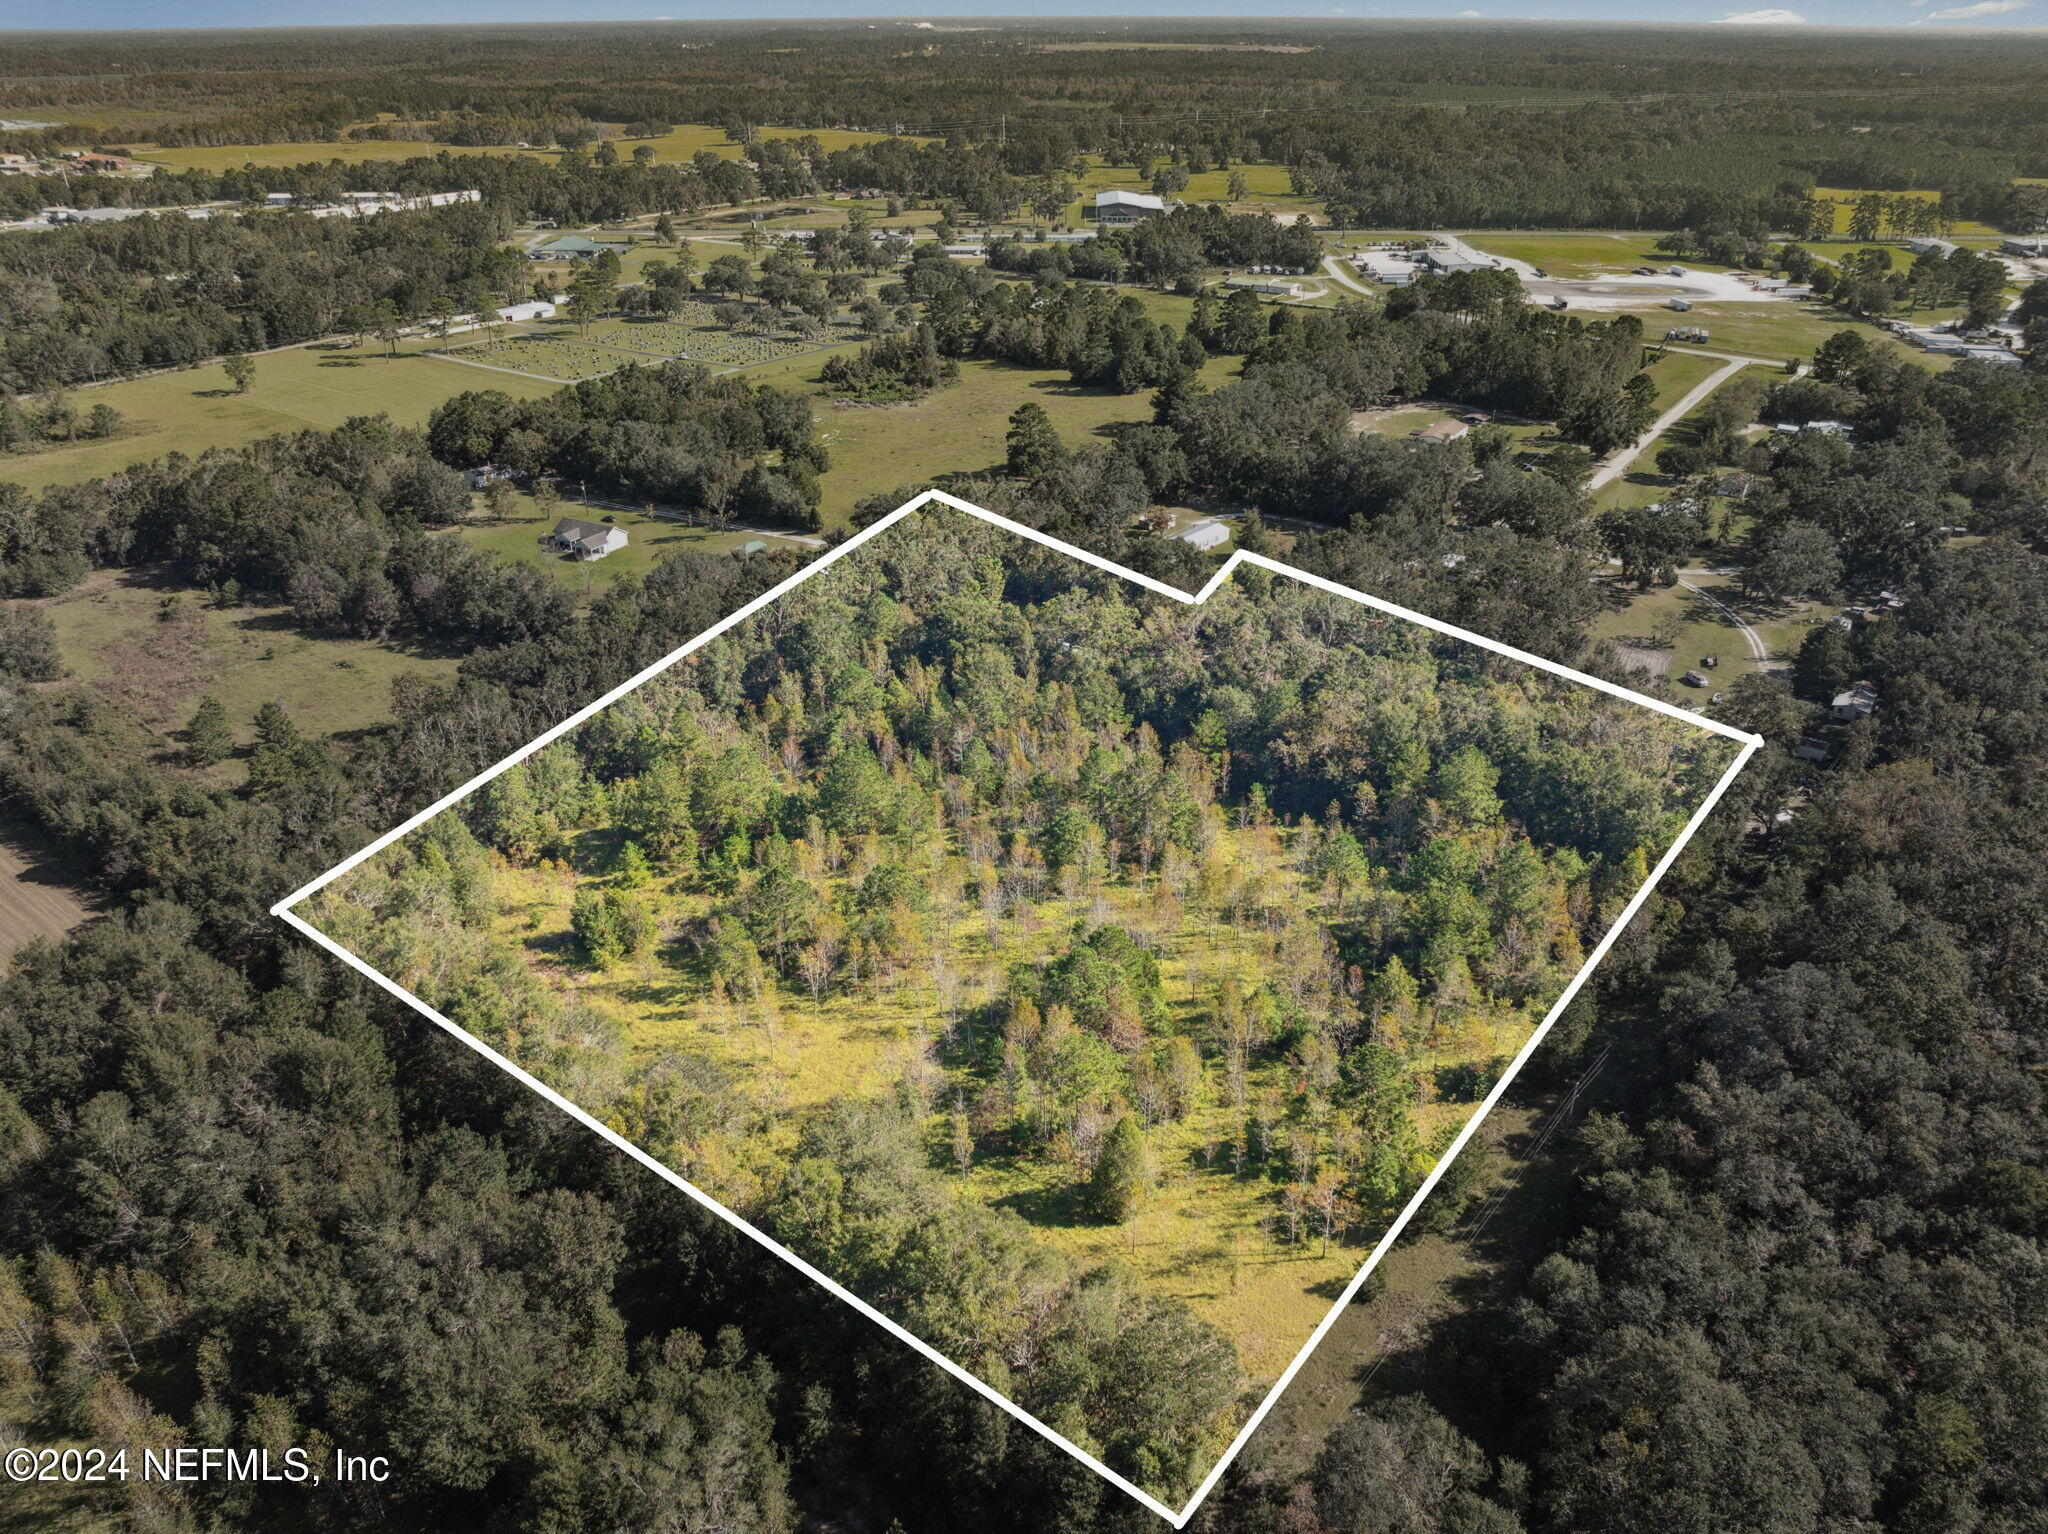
point(1240, 558)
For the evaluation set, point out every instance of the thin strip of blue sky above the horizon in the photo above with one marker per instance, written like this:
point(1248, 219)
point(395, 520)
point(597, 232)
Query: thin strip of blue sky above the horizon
point(339, 13)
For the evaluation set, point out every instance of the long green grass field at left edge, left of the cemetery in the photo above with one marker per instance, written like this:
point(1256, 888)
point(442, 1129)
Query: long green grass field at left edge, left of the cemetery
point(314, 386)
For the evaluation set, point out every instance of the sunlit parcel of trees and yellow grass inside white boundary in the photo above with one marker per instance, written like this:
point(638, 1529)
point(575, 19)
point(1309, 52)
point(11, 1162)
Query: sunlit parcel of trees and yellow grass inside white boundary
point(1318, 869)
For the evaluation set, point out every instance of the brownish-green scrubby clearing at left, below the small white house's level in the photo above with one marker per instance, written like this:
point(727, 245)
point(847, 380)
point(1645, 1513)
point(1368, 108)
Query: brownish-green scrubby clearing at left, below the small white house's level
point(155, 648)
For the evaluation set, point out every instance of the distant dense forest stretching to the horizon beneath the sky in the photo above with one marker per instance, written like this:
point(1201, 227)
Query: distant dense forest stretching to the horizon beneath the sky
point(1394, 126)
